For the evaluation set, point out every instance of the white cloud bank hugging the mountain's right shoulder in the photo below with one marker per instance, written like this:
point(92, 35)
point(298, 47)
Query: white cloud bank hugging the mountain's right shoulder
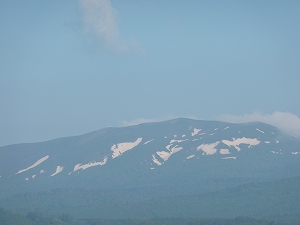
point(285, 121)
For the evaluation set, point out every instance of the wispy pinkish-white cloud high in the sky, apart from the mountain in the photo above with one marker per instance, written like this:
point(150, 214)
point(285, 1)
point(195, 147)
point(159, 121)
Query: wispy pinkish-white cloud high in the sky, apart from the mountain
point(100, 20)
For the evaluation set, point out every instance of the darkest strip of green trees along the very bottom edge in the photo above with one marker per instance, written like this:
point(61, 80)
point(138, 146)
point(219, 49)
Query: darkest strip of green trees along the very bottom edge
point(34, 218)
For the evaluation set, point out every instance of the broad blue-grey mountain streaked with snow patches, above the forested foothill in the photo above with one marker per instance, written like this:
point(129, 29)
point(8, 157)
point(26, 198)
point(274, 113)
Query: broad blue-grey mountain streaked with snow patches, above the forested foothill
point(180, 157)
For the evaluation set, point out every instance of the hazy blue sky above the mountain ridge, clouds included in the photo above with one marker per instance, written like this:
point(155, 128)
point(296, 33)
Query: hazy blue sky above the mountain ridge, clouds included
point(70, 67)
